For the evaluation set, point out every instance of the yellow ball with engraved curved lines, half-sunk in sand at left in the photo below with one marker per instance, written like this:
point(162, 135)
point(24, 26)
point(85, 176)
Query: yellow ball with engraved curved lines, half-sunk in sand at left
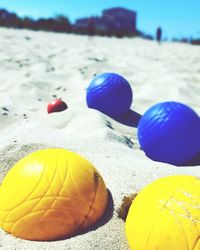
point(51, 194)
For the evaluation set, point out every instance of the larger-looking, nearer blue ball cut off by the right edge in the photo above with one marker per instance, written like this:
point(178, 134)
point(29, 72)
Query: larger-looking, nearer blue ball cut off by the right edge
point(170, 132)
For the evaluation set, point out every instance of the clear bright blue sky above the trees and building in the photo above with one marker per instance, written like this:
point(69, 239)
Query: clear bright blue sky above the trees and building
point(178, 18)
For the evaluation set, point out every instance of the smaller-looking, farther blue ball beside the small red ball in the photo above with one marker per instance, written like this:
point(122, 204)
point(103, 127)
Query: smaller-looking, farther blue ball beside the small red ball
point(109, 93)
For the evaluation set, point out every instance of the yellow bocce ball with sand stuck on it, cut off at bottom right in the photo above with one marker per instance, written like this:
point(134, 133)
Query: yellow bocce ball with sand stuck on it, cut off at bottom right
point(165, 215)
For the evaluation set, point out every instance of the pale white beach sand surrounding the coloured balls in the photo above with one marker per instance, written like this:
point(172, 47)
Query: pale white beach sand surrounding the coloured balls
point(35, 64)
